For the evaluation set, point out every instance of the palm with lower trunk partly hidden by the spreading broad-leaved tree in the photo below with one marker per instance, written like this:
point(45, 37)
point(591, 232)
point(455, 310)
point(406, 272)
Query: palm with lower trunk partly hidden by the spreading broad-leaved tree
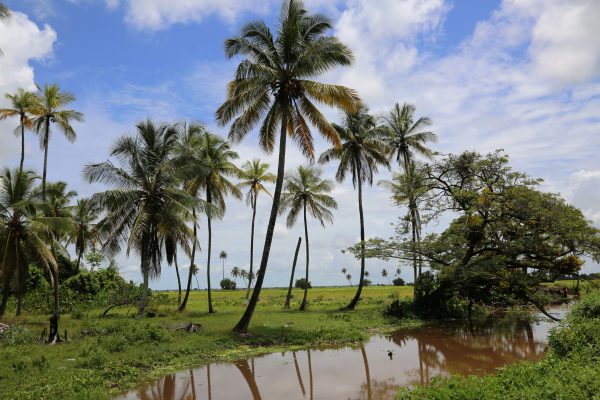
point(407, 138)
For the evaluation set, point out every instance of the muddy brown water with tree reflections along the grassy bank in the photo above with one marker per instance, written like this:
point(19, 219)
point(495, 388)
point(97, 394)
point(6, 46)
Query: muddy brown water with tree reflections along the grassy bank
point(372, 371)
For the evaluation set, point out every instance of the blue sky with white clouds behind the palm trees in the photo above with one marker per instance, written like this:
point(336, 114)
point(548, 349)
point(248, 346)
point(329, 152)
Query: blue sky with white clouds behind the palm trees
point(521, 75)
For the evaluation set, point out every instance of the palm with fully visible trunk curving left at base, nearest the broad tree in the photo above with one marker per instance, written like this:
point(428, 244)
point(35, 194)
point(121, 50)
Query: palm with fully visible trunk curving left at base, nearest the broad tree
point(363, 150)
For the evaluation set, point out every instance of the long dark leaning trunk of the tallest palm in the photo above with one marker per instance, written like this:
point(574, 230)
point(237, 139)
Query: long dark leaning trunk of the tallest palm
point(244, 322)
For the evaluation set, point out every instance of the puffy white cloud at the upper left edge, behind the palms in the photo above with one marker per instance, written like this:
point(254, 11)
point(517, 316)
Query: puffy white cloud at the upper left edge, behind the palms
point(22, 41)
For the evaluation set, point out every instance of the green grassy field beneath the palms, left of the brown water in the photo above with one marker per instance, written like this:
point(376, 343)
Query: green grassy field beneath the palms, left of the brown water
point(106, 356)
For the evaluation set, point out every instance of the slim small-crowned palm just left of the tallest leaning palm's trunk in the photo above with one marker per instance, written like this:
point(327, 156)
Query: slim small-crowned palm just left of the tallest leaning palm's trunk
point(253, 174)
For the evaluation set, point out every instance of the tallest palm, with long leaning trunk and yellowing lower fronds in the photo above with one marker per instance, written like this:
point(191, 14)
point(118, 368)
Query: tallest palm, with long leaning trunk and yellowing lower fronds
point(273, 84)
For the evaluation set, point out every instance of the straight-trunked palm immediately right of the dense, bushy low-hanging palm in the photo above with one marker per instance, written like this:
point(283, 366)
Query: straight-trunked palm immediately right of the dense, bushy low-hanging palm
point(218, 162)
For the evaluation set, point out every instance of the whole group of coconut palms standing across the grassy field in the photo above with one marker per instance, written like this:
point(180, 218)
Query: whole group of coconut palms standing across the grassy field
point(166, 176)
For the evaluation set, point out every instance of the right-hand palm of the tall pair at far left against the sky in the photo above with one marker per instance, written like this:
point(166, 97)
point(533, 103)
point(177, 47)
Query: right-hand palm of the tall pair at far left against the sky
point(50, 109)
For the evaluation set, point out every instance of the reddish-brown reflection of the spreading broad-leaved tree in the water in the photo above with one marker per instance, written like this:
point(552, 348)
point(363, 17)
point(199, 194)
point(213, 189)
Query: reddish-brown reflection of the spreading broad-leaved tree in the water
point(471, 349)
